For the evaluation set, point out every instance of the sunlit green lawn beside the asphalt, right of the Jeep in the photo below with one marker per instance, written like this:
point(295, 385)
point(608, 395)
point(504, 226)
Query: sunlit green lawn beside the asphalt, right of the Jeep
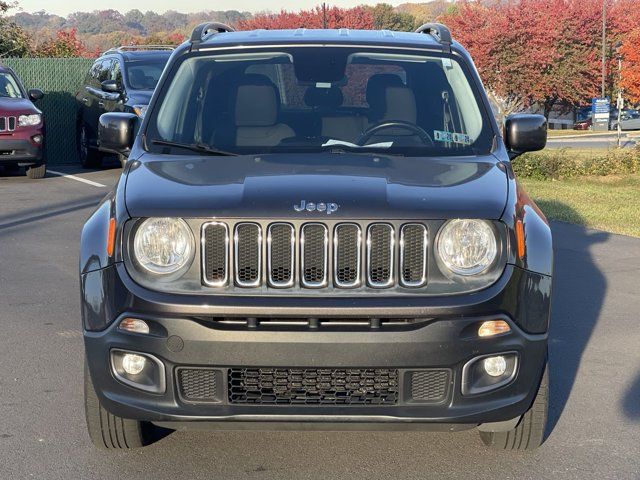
point(610, 203)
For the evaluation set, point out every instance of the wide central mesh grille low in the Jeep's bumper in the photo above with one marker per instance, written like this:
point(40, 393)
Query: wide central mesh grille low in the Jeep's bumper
point(313, 386)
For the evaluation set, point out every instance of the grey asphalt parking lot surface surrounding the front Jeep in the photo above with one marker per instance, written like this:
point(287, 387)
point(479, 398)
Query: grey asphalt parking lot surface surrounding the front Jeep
point(594, 353)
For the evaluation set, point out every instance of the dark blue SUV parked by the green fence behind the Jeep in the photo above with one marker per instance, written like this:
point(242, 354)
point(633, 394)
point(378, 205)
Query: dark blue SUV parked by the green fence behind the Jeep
point(121, 80)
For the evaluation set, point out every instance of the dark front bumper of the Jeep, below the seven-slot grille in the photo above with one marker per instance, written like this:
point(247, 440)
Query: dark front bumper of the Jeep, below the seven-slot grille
point(443, 341)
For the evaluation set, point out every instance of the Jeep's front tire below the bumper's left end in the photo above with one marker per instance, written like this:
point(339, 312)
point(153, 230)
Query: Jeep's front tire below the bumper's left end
point(110, 432)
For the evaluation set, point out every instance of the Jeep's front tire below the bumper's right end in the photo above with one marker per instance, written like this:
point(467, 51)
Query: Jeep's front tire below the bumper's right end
point(529, 433)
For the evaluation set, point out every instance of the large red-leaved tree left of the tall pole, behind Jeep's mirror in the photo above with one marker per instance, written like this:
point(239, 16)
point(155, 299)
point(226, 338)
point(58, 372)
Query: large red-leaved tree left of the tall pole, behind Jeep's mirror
point(540, 51)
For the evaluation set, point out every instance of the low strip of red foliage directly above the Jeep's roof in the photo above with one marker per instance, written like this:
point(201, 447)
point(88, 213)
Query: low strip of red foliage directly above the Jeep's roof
point(357, 17)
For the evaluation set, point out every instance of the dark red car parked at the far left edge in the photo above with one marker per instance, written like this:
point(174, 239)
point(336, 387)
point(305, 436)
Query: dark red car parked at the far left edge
point(21, 126)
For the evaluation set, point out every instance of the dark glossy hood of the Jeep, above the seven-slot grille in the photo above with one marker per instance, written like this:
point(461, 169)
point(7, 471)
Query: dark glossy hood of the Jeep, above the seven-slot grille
point(363, 186)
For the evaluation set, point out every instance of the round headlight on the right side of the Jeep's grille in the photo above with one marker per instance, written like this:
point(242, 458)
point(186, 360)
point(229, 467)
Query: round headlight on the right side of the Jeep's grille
point(467, 247)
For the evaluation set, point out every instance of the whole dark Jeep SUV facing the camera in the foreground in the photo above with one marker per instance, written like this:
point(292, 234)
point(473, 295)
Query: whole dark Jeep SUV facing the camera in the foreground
point(317, 229)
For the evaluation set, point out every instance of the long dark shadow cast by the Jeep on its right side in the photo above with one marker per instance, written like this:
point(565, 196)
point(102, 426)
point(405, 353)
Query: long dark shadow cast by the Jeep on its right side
point(578, 294)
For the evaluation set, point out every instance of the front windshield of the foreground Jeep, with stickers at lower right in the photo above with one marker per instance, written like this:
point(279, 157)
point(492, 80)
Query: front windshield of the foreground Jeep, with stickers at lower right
point(312, 99)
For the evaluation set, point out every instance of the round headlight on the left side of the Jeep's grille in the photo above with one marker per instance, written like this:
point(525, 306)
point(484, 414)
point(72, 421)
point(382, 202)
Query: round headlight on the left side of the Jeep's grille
point(163, 245)
